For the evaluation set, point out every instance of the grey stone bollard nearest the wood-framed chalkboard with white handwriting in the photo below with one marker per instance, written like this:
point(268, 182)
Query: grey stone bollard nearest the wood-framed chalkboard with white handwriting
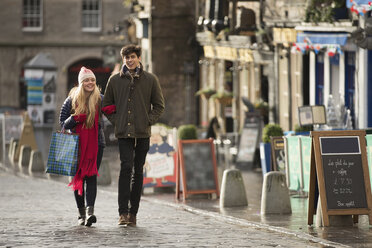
point(275, 194)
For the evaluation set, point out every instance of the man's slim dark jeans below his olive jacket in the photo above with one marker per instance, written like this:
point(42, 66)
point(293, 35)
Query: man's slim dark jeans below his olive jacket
point(132, 154)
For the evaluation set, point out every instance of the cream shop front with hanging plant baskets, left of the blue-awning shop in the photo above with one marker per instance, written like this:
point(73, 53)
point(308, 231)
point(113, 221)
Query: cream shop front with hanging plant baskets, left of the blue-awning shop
point(233, 79)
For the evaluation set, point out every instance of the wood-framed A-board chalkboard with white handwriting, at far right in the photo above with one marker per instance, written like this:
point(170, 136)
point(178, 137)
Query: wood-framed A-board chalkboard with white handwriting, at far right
point(339, 170)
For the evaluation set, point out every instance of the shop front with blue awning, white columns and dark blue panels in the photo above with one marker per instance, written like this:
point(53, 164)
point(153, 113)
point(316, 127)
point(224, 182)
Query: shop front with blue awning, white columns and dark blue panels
point(332, 77)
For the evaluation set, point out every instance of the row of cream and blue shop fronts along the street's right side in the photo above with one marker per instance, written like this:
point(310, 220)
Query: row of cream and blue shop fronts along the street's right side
point(283, 55)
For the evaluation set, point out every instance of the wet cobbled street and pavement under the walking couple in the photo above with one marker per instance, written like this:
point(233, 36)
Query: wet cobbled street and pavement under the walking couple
point(235, 223)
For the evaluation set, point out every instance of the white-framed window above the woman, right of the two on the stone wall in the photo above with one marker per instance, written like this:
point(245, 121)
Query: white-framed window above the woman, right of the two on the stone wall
point(91, 15)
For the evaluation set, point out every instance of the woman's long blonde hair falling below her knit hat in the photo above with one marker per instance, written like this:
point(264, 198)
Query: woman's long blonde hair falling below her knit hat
point(83, 104)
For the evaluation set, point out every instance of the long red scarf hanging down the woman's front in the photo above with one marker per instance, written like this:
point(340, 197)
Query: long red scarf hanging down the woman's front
point(88, 154)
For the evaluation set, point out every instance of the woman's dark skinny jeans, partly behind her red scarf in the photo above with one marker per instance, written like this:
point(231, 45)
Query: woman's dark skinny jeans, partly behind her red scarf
point(91, 182)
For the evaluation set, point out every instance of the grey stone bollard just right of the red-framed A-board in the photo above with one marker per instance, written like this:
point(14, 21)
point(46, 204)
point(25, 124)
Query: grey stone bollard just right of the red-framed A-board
point(232, 189)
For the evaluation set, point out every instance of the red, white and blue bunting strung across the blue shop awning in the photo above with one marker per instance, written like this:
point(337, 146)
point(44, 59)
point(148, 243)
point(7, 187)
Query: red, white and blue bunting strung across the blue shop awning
point(330, 49)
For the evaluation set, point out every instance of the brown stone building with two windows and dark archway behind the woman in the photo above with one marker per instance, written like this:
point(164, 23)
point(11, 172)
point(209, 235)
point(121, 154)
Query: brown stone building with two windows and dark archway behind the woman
point(49, 40)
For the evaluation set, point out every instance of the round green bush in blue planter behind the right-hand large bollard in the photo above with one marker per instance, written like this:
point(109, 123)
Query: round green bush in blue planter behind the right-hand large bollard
point(265, 147)
